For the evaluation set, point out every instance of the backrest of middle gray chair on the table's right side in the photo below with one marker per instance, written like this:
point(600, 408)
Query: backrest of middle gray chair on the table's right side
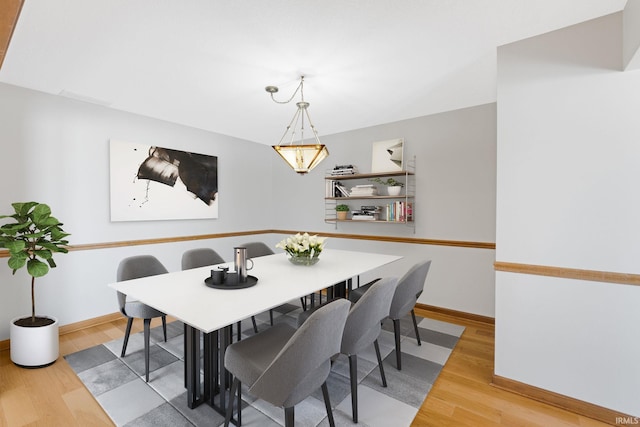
point(364, 322)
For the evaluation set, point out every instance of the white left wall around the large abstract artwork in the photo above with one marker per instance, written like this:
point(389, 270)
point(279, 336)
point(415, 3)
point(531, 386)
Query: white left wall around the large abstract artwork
point(56, 151)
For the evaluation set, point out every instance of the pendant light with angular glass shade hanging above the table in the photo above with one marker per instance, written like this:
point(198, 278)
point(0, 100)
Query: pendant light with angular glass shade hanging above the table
point(300, 156)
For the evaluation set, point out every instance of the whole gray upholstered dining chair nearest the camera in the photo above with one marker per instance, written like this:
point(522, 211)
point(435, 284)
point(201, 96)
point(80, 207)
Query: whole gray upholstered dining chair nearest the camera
point(284, 365)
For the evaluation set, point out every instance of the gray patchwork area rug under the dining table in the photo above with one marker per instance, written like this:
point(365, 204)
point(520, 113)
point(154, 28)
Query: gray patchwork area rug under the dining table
point(118, 383)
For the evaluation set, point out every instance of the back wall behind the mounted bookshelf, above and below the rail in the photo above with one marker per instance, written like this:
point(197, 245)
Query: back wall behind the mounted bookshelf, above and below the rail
point(455, 184)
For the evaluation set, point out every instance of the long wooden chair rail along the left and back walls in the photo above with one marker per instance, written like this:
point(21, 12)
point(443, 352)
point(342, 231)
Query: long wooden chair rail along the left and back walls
point(124, 243)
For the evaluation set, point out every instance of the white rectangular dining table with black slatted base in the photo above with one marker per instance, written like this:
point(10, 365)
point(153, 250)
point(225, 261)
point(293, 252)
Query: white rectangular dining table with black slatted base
point(185, 296)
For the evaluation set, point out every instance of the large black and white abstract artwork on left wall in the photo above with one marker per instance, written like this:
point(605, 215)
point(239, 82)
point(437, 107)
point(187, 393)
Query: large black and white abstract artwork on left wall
point(156, 183)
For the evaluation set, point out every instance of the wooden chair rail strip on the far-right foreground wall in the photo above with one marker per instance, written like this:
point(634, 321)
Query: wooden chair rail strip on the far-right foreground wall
point(569, 273)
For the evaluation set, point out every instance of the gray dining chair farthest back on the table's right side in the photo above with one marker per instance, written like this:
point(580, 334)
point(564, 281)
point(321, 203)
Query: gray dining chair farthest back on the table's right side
point(406, 296)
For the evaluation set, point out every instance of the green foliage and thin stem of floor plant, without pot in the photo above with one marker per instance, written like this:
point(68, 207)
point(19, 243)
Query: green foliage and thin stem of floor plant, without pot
point(32, 240)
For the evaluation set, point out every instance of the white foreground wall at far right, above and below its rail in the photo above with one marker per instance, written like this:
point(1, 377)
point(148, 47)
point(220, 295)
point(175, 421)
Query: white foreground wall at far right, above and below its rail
point(567, 196)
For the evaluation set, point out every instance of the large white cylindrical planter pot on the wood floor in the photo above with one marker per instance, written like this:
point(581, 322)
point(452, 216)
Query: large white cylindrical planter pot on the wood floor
point(34, 347)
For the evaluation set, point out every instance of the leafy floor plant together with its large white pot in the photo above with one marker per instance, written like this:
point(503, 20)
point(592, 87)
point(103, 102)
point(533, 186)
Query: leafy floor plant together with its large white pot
point(31, 240)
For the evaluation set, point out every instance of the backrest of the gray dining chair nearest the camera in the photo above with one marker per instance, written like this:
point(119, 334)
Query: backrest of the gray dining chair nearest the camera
point(304, 362)
